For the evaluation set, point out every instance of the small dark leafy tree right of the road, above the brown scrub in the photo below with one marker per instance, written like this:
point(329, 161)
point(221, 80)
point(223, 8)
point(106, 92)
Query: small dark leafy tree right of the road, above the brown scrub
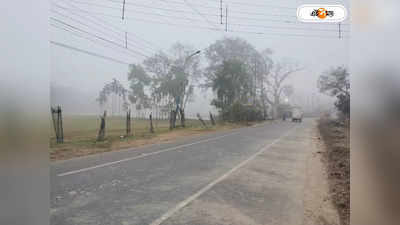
point(336, 82)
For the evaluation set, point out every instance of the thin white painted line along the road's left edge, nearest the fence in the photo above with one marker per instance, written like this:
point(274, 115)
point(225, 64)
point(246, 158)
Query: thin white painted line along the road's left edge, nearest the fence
point(143, 155)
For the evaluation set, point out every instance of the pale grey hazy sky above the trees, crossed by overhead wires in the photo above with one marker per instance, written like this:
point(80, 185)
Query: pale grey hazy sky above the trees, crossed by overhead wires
point(156, 24)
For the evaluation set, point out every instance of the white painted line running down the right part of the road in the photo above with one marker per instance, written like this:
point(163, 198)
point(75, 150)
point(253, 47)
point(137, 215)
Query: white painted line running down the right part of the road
point(182, 204)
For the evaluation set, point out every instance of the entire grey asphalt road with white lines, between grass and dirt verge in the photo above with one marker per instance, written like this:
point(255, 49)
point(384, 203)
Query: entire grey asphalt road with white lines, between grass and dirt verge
point(251, 175)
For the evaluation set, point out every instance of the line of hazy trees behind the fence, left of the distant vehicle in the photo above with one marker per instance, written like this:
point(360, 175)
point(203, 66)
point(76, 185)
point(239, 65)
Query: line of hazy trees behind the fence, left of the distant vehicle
point(247, 84)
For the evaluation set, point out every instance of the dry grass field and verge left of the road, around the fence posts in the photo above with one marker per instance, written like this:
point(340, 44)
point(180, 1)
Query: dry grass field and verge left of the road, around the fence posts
point(80, 134)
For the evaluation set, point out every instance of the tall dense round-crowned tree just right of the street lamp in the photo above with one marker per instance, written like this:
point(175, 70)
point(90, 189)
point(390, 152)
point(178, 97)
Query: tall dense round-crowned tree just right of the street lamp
point(222, 56)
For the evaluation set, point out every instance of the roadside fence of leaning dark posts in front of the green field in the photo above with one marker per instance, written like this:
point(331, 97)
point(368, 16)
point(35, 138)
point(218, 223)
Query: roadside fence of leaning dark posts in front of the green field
point(86, 129)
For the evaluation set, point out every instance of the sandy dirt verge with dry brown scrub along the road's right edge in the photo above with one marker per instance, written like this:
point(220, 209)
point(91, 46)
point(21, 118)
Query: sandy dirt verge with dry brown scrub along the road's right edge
point(327, 189)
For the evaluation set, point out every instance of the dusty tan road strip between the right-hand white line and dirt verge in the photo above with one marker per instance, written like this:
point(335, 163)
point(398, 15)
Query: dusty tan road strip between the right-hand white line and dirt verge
point(268, 190)
